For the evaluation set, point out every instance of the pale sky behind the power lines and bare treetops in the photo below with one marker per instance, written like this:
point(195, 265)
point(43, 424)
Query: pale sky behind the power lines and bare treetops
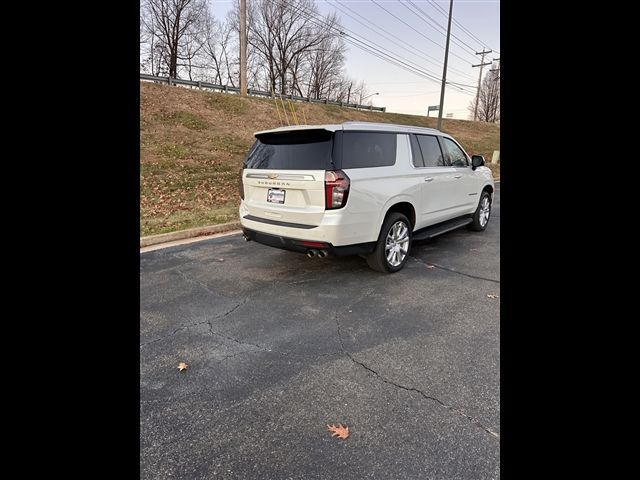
point(400, 90)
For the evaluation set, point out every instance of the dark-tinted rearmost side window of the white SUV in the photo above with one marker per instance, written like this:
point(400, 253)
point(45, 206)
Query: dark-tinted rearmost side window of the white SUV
point(368, 149)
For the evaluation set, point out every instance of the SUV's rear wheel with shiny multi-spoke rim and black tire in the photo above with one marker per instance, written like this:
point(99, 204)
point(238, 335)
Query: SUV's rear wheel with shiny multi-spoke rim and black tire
point(392, 249)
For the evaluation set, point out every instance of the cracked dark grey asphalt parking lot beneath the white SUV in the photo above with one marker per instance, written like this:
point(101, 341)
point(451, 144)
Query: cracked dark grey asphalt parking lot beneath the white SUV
point(280, 345)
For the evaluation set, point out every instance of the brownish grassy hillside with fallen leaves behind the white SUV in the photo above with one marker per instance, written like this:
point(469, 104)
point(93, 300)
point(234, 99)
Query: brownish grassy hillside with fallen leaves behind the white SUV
point(192, 144)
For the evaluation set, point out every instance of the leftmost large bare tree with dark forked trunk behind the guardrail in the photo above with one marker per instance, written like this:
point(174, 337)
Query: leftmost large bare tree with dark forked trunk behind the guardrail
point(173, 21)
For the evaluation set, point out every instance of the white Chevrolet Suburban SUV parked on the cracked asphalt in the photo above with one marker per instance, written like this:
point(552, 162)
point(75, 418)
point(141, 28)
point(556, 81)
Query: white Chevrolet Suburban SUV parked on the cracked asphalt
point(360, 188)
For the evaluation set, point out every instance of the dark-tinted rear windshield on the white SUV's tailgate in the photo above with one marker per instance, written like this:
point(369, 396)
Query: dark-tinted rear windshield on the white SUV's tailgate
point(302, 150)
